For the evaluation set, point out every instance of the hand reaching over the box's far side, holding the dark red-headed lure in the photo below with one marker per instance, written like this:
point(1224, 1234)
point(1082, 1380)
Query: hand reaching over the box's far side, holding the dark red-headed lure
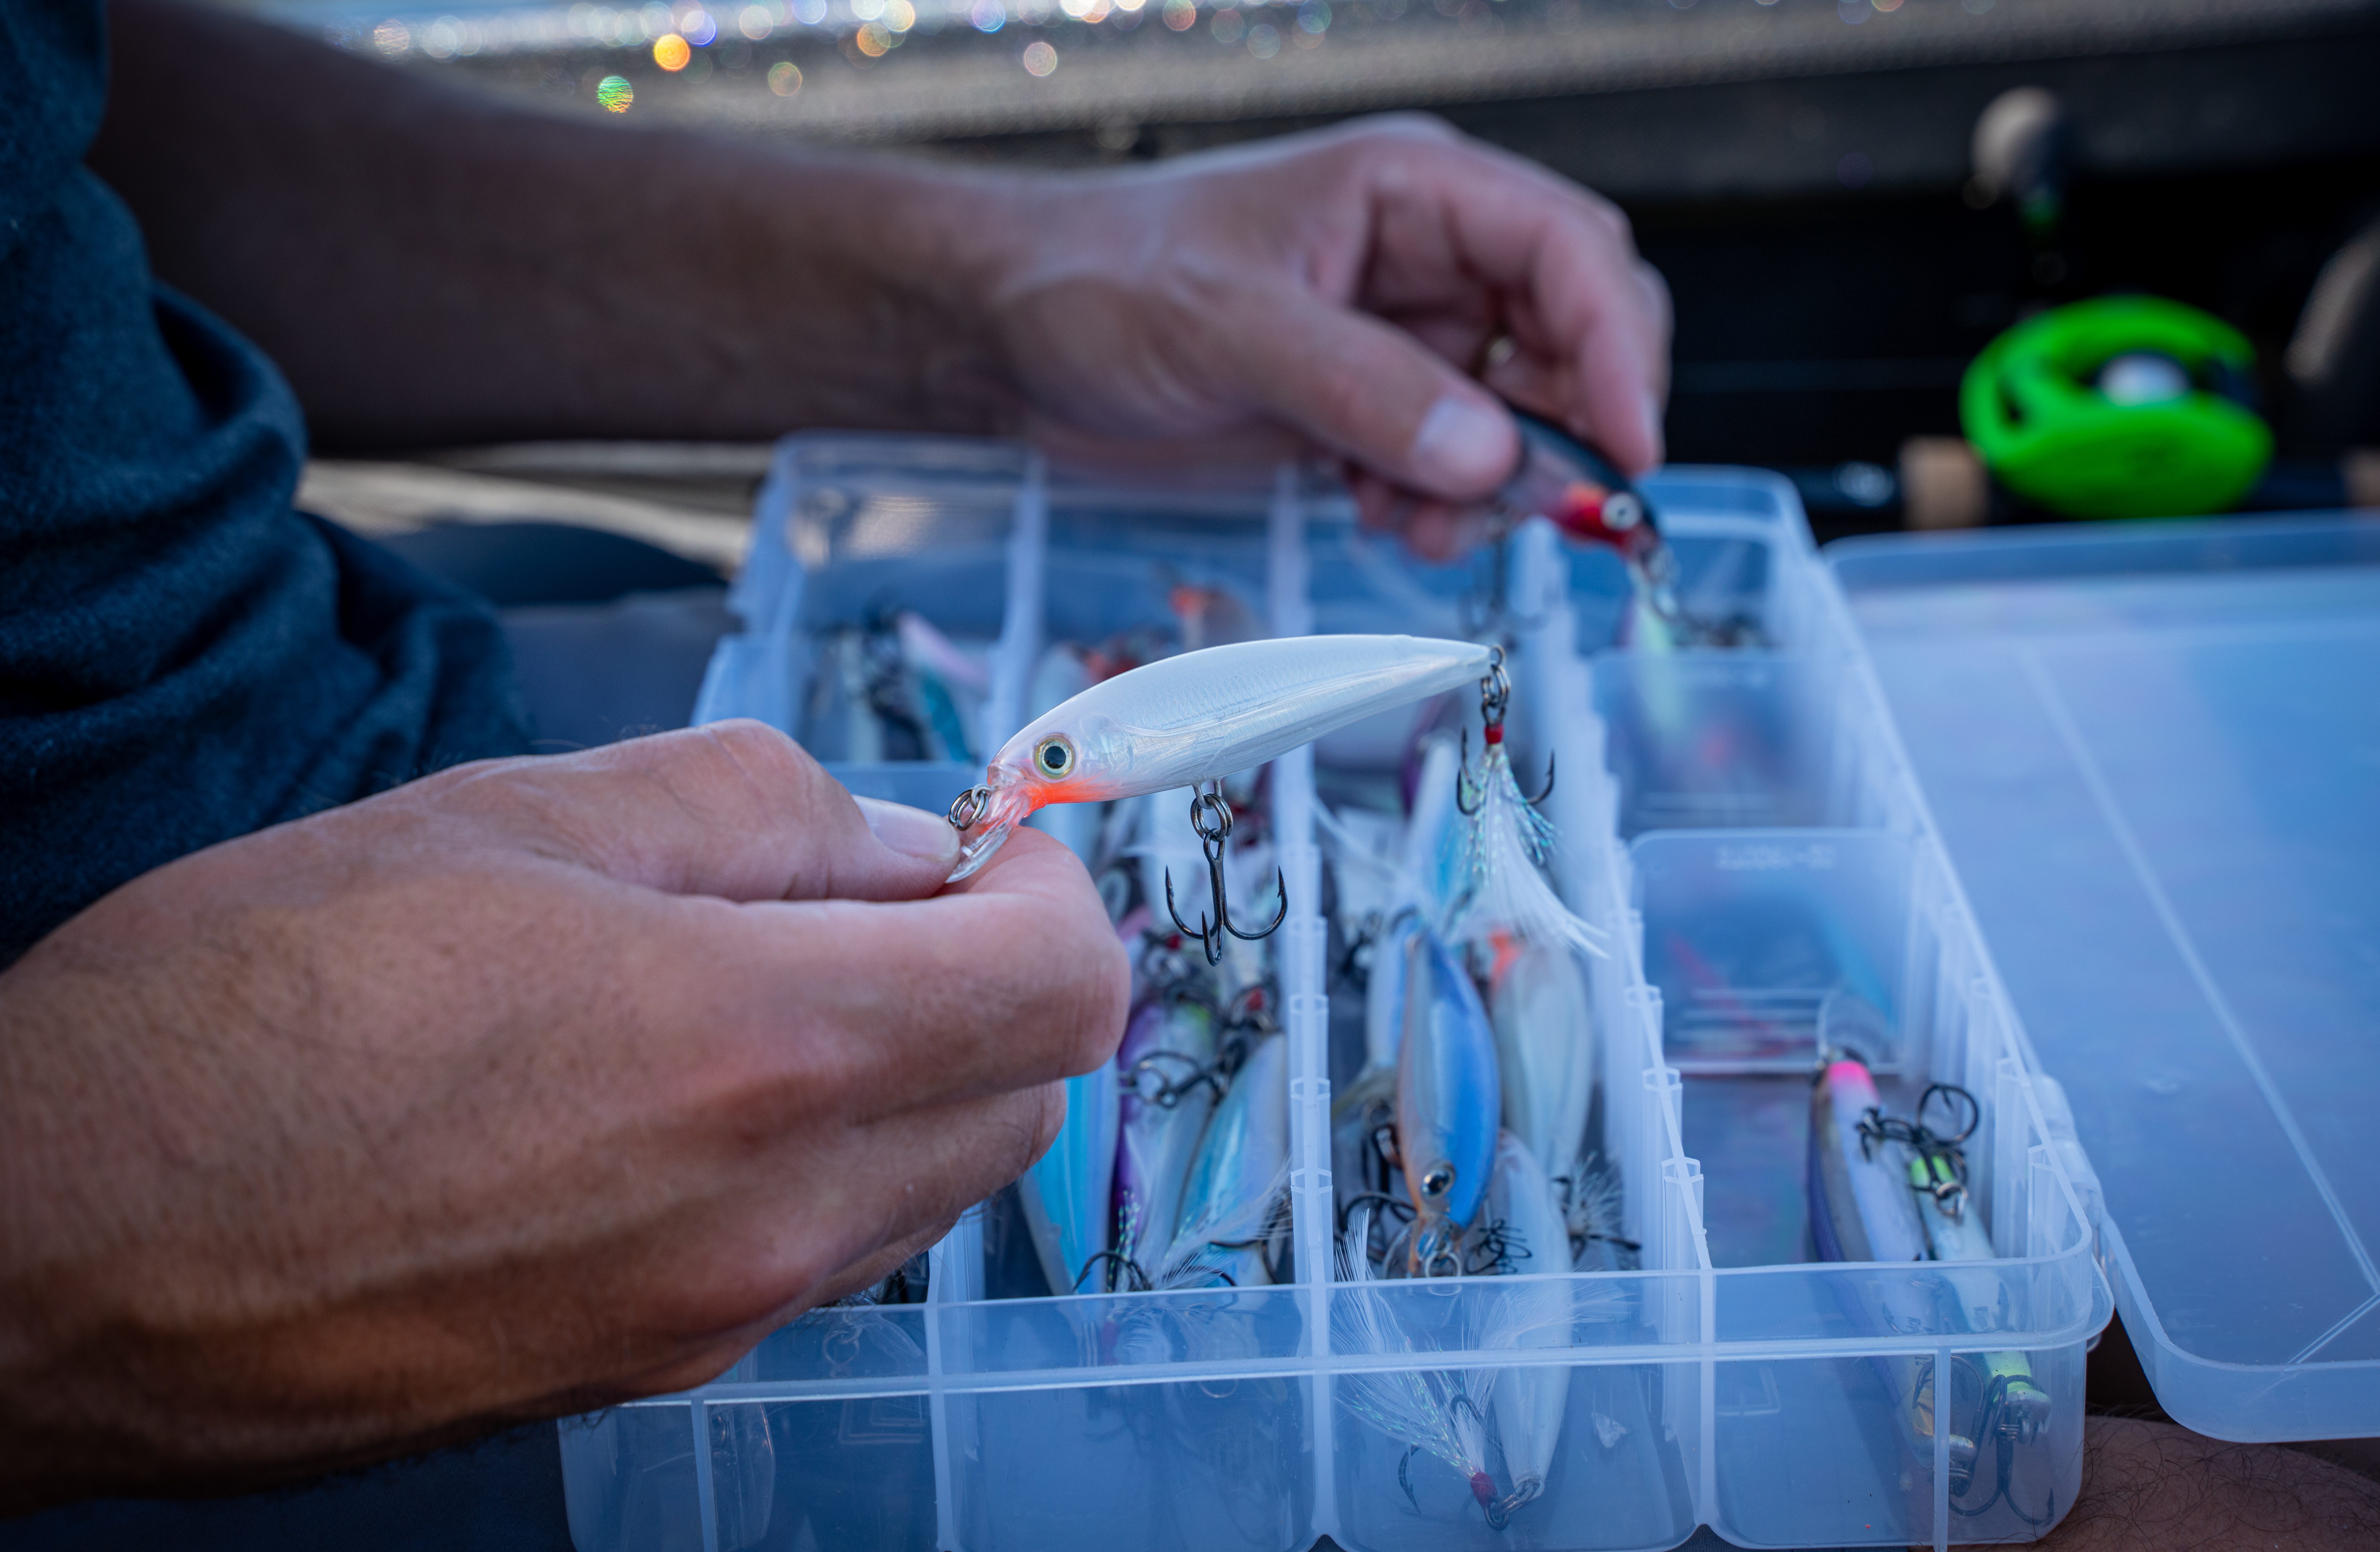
point(1341, 287)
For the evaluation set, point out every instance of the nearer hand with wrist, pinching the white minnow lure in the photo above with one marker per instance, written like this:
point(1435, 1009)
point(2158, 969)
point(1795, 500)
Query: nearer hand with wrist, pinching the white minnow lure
point(508, 1094)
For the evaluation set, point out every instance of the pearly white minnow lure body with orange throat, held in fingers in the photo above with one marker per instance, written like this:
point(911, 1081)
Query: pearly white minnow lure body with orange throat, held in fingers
point(1203, 715)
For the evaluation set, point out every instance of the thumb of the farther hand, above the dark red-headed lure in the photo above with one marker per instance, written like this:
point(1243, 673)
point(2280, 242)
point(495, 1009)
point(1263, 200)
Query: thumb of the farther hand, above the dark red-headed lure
point(1372, 394)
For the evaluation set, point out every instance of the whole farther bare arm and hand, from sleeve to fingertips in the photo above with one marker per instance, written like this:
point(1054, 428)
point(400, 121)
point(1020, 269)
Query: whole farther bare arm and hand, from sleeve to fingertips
point(506, 275)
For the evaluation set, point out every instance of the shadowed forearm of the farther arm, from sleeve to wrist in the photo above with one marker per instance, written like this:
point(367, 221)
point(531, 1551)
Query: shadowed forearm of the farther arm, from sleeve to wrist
point(430, 268)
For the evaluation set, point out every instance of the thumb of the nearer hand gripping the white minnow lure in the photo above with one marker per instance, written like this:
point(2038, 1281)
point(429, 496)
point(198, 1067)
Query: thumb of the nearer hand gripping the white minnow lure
point(732, 811)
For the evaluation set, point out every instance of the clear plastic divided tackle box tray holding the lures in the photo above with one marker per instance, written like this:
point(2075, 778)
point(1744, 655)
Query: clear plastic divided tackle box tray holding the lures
point(1753, 839)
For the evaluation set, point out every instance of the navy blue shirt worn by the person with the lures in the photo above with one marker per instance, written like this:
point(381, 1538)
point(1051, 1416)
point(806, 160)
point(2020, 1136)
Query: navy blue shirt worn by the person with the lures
point(182, 656)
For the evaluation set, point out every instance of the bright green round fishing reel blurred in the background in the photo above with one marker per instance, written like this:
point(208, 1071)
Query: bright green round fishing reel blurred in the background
point(2119, 408)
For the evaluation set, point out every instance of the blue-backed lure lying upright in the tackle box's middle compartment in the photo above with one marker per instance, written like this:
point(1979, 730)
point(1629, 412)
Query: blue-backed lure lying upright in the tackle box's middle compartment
point(1448, 1103)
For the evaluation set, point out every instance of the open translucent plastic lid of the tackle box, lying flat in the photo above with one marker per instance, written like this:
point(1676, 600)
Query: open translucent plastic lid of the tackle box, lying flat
point(2155, 758)
